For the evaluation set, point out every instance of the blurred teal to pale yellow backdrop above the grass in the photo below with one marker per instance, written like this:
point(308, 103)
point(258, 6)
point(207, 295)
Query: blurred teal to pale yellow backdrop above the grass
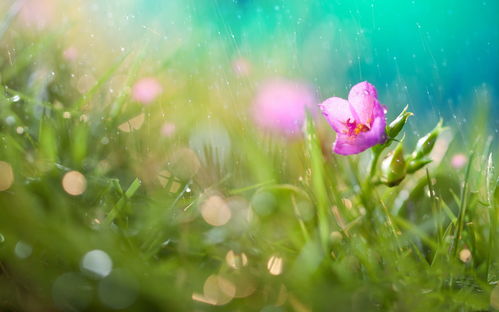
point(437, 57)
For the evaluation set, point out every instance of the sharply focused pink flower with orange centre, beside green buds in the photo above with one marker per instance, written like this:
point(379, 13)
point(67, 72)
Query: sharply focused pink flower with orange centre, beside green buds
point(359, 122)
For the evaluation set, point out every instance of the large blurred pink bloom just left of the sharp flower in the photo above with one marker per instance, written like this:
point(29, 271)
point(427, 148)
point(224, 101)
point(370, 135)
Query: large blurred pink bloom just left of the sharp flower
point(280, 105)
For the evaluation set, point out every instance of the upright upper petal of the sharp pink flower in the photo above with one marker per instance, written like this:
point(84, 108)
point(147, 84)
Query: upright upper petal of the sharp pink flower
point(363, 97)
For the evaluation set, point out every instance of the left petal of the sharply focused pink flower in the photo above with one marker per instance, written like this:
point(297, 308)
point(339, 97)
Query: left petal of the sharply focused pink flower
point(337, 112)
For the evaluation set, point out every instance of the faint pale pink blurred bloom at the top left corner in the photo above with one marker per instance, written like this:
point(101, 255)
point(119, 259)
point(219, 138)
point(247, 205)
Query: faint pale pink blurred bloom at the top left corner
point(37, 13)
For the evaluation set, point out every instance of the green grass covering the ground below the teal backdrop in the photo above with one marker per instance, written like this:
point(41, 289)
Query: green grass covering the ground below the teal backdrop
point(345, 244)
